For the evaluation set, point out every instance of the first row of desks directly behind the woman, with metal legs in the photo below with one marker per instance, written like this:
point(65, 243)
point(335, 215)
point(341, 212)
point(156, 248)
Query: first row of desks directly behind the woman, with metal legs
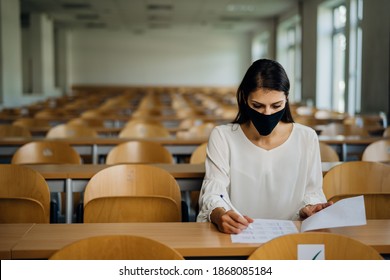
point(70, 178)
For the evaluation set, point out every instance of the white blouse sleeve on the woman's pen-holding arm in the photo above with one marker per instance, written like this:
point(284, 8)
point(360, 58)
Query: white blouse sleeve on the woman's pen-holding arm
point(217, 178)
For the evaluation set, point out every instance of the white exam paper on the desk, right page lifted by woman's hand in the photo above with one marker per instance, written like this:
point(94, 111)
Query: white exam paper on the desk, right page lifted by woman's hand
point(345, 212)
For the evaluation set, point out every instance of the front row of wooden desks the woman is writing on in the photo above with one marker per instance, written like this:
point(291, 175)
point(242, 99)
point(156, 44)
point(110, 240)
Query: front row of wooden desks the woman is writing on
point(192, 240)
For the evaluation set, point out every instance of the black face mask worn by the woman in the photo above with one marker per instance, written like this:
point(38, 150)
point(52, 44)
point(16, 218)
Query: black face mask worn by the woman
point(265, 123)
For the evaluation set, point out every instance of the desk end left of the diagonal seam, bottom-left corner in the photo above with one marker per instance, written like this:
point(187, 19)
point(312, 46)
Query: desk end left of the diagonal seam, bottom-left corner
point(10, 234)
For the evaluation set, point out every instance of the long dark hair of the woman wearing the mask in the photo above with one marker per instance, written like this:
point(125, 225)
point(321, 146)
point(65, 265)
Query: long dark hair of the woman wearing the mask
point(267, 74)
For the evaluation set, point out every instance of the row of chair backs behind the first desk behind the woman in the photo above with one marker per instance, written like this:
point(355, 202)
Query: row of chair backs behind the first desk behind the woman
point(138, 151)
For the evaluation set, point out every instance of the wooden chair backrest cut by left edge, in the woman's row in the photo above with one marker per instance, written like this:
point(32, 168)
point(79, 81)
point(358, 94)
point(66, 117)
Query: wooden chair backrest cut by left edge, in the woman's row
point(24, 195)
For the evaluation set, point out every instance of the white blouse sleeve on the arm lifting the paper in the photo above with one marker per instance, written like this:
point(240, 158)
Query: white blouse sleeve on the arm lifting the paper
point(313, 190)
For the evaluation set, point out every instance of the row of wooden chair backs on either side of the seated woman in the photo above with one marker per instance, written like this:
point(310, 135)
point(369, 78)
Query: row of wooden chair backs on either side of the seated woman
point(123, 193)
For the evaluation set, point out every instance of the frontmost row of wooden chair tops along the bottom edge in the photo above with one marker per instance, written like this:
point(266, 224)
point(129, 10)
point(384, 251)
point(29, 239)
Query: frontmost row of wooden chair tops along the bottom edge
point(130, 247)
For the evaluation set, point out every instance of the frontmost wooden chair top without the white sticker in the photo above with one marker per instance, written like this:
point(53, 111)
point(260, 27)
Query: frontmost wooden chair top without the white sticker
point(117, 247)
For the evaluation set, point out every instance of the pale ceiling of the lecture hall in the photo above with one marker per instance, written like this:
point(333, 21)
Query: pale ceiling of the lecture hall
point(140, 16)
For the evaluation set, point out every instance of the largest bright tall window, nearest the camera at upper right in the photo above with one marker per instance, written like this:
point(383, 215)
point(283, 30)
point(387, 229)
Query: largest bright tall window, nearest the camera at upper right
point(339, 56)
